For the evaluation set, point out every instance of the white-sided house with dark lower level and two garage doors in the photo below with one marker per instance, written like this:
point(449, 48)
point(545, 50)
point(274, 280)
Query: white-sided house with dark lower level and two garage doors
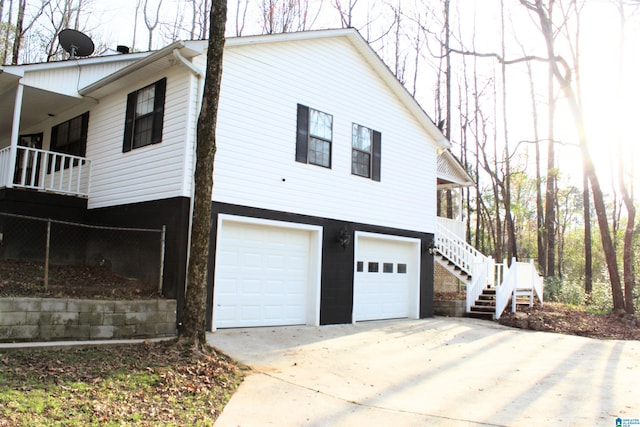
point(324, 180)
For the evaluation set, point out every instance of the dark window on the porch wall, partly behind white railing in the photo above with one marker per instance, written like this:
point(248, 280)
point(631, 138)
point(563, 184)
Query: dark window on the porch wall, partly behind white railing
point(70, 137)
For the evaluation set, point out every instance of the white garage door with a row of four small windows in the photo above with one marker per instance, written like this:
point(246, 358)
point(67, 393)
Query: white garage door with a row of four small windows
point(385, 281)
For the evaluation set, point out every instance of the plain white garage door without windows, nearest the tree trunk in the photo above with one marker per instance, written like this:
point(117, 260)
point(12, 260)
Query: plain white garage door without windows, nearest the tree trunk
point(261, 276)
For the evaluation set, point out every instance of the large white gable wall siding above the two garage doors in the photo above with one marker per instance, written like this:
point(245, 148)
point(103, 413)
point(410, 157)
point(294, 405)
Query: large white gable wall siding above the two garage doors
point(255, 162)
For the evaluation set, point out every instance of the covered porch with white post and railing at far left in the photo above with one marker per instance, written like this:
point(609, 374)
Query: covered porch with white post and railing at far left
point(28, 113)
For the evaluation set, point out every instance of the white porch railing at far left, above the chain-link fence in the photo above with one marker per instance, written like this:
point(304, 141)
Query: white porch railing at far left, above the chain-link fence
point(46, 171)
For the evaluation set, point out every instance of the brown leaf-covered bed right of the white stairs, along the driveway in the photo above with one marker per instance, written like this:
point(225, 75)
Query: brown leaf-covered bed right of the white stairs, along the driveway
point(559, 318)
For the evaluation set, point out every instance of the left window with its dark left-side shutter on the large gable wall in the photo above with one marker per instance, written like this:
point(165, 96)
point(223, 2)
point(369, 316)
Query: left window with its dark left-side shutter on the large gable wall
point(314, 137)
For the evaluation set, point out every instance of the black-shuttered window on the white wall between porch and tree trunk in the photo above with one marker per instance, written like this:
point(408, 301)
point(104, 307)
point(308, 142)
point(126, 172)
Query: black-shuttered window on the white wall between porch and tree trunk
point(144, 116)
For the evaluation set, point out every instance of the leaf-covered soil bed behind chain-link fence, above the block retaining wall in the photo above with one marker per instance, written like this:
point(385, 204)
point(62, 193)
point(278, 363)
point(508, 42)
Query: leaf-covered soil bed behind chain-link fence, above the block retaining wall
point(26, 279)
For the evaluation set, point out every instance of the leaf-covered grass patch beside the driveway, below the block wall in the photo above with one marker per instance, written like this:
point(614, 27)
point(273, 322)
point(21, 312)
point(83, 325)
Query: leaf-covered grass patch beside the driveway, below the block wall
point(143, 384)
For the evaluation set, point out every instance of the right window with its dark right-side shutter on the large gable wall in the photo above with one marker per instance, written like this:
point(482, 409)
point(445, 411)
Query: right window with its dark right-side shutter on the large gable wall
point(365, 152)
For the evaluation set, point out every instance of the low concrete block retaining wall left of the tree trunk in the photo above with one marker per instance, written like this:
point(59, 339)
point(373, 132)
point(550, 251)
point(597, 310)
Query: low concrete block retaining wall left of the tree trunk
point(54, 319)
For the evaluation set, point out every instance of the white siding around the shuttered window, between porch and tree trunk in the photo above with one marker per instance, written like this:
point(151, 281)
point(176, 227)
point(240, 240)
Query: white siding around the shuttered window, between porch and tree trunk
point(148, 173)
